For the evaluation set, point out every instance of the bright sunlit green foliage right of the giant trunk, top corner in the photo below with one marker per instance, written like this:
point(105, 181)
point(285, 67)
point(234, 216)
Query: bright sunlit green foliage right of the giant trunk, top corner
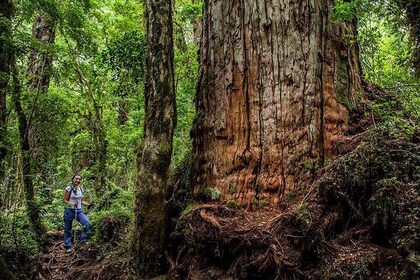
point(388, 52)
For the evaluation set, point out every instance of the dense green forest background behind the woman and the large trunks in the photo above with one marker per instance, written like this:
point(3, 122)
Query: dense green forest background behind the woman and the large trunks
point(72, 101)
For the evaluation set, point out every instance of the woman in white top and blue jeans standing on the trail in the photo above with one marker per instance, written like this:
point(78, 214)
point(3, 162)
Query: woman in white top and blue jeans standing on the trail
point(73, 198)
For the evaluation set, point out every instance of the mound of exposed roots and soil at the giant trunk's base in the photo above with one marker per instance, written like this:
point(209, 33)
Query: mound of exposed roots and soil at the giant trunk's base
point(357, 222)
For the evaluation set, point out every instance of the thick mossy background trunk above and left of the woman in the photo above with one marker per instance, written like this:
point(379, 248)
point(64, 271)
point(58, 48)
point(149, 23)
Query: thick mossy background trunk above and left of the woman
point(38, 79)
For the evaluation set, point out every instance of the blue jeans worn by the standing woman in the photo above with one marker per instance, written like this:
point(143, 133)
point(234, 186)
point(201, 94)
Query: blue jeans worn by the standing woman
point(69, 216)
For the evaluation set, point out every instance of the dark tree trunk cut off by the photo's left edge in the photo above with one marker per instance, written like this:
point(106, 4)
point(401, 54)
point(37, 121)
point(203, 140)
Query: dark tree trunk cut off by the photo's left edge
point(5, 60)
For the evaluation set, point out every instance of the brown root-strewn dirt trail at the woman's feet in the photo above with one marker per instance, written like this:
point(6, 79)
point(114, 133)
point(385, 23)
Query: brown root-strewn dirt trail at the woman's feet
point(80, 263)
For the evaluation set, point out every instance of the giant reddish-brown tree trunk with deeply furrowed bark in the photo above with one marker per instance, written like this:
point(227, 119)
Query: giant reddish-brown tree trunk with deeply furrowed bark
point(277, 81)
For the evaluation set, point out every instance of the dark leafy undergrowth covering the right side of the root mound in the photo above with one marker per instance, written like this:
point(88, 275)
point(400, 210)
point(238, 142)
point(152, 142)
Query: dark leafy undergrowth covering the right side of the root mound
point(377, 182)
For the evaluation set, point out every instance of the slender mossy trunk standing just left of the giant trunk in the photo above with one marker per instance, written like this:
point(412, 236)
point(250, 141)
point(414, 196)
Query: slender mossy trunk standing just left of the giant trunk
point(155, 156)
